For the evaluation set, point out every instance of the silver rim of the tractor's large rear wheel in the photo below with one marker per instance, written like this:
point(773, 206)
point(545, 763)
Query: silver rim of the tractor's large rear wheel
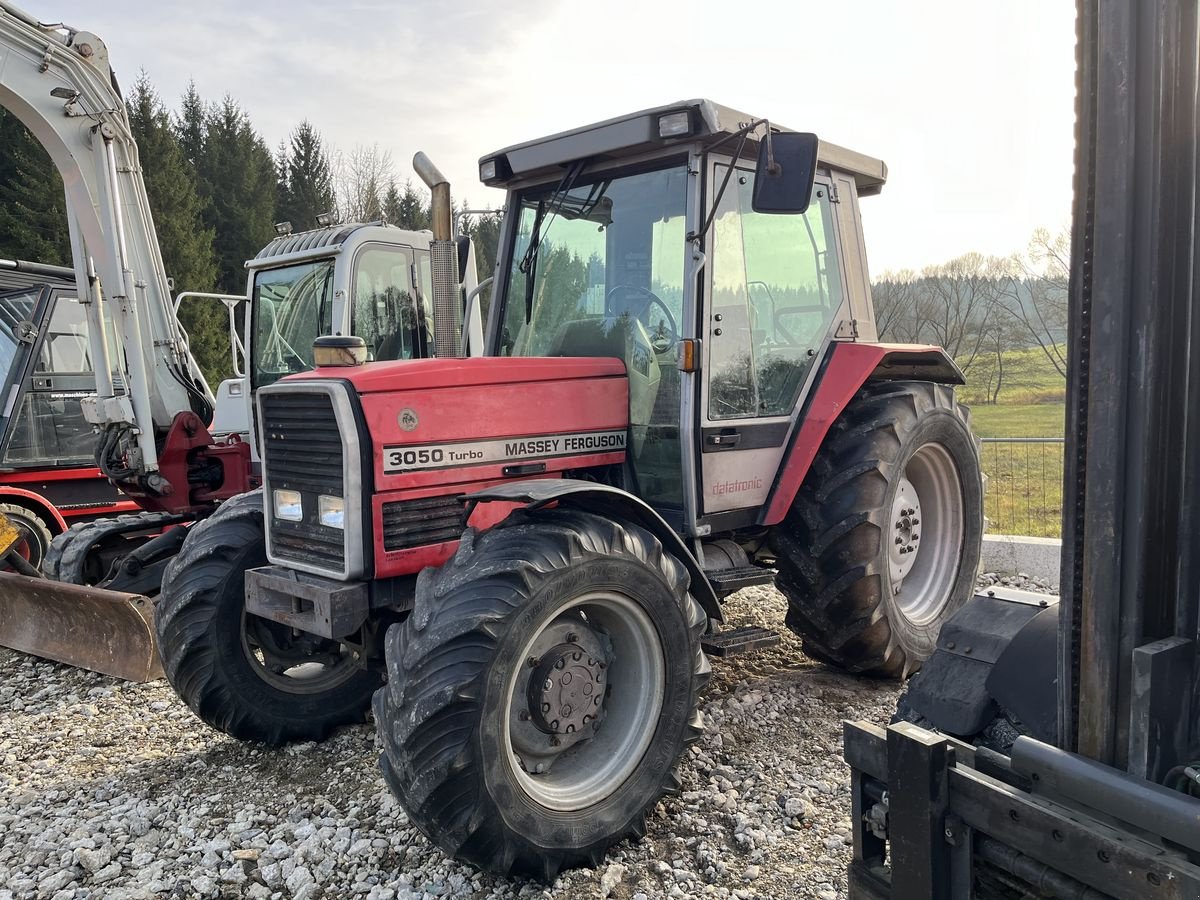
point(926, 541)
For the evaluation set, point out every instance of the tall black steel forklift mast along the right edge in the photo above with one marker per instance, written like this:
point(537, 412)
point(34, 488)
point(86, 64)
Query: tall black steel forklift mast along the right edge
point(1131, 577)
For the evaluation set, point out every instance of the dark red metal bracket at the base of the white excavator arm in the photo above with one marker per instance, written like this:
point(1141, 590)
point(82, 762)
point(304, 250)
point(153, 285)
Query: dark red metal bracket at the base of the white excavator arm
point(189, 445)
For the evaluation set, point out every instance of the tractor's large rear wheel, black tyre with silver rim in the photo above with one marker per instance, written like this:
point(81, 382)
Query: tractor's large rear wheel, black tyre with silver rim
point(883, 543)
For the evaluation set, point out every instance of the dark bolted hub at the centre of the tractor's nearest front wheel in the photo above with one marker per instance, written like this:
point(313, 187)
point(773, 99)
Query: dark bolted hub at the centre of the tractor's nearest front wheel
point(563, 703)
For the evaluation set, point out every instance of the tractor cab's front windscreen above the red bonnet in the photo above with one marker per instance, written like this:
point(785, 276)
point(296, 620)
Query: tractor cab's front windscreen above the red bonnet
point(608, 250)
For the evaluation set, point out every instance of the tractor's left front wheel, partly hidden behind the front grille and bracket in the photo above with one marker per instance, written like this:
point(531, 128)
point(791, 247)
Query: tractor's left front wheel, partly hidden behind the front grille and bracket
point(245, 676)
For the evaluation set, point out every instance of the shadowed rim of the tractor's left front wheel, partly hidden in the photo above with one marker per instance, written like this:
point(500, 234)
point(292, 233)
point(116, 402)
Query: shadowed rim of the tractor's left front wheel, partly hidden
point(293, 662)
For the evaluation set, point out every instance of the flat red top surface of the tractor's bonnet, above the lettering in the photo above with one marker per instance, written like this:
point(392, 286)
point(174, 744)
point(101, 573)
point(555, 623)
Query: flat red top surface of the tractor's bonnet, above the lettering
point(427, 374)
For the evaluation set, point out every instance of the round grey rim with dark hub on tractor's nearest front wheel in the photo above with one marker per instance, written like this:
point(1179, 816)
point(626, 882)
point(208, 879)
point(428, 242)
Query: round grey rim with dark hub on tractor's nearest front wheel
point(572, 760)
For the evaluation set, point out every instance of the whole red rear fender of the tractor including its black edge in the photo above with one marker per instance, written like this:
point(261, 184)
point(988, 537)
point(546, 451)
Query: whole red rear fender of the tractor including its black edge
point(848, 368)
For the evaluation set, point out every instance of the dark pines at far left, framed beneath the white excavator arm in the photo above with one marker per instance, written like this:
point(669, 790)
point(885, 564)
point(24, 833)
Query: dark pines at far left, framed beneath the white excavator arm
point(33, 205)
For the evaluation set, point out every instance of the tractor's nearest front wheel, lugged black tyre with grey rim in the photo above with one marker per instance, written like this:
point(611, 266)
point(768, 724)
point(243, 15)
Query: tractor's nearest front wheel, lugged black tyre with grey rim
point(542, 692)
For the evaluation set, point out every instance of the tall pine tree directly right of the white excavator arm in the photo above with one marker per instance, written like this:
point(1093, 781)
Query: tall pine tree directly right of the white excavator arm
point(185, 243)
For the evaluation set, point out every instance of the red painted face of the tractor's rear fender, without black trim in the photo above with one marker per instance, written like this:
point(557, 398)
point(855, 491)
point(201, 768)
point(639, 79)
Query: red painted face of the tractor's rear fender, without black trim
point(850, 367)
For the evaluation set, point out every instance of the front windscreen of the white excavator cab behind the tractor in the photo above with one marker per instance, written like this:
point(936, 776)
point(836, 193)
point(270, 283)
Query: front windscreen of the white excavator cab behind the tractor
point(292, 307)
